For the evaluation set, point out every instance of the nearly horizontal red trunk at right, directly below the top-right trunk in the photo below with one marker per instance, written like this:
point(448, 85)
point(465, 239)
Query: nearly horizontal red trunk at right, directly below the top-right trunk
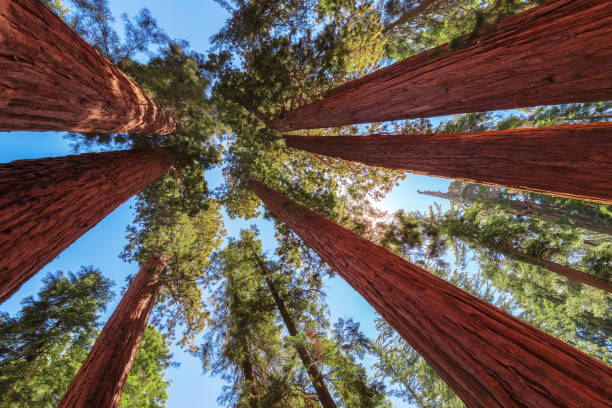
point(570, 161)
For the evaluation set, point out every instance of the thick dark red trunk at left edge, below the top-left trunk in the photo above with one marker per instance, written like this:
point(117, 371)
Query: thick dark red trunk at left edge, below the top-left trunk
point(46, 204)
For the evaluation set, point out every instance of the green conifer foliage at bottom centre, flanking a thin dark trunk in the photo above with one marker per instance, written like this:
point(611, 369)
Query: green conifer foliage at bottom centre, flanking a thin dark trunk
point(246, 328)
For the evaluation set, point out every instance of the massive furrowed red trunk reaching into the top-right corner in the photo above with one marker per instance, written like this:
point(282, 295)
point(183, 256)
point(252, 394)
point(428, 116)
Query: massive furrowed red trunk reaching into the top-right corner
point(559, 52)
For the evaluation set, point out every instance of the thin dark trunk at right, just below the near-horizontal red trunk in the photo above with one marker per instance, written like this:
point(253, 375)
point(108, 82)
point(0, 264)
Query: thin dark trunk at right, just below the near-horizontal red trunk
point(519, 207)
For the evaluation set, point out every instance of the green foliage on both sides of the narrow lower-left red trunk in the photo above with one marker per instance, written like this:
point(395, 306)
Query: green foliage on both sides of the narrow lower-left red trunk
point(43, 346)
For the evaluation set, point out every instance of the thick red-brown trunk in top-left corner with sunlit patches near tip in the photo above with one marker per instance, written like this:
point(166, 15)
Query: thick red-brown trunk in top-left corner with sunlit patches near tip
point(53, 80)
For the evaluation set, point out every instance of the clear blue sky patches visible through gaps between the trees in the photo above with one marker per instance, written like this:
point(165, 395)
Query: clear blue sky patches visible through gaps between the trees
point(195, 21)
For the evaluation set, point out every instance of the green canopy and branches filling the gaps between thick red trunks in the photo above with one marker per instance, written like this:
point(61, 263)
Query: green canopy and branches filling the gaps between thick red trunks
point(258, 317)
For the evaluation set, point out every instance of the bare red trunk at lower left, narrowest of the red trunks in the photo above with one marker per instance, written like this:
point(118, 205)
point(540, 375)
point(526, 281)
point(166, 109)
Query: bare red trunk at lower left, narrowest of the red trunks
point(100, 380)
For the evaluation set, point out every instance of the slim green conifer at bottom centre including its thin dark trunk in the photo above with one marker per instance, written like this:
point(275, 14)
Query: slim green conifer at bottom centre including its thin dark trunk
point(264, 287)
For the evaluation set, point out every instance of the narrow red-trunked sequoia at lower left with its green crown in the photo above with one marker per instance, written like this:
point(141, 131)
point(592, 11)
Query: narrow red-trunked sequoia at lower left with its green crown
point(172, 243)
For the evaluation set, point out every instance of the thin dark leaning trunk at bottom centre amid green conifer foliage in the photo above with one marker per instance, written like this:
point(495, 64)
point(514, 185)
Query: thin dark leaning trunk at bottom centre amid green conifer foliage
point(318, 382)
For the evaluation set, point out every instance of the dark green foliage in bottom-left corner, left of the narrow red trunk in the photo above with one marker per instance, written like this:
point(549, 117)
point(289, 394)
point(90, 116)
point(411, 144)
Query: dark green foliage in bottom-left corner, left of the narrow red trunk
point(42, 347)
